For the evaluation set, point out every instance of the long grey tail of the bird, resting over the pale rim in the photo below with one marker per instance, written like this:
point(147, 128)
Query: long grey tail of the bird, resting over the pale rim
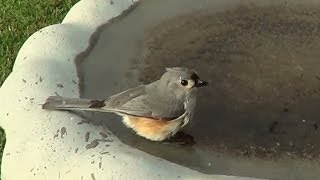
point(63, 103)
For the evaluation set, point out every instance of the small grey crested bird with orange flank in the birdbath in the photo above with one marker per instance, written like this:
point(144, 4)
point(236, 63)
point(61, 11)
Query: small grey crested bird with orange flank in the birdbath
point(156, 111)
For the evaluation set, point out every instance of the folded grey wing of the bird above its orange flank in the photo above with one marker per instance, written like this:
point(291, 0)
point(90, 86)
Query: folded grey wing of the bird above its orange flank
point(138, 102)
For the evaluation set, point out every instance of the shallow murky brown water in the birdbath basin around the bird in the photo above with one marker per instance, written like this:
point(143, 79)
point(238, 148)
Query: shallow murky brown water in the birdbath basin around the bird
point(259, 116)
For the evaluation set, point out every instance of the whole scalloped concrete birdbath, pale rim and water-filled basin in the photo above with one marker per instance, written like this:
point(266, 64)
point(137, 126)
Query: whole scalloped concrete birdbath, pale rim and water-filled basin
point(258, 118)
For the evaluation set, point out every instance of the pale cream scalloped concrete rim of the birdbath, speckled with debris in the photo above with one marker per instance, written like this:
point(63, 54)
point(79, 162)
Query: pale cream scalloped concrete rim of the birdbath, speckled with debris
point(57, 145)
